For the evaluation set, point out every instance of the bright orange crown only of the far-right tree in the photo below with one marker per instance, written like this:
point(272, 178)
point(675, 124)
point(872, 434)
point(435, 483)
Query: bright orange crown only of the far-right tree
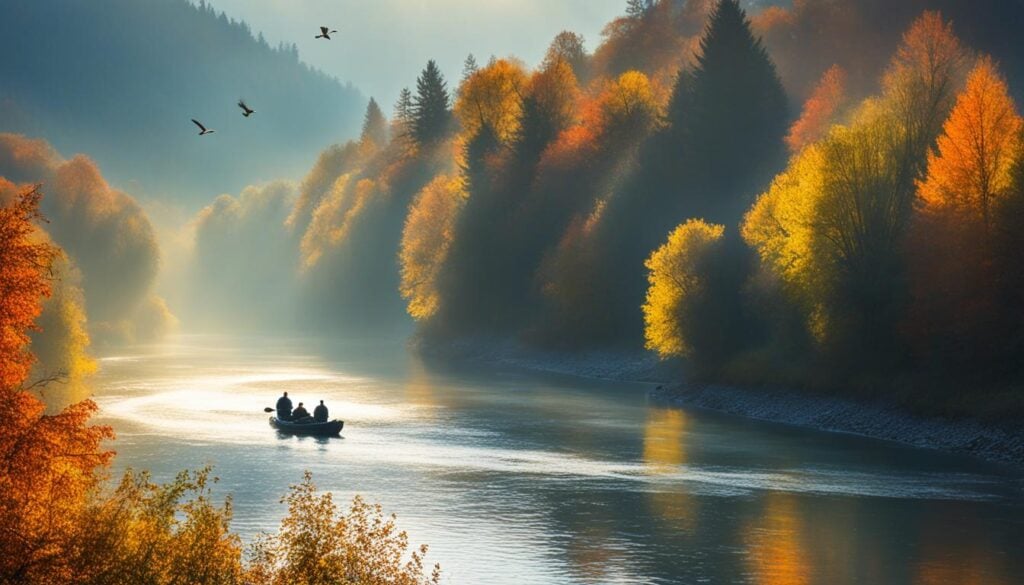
point(974, 162)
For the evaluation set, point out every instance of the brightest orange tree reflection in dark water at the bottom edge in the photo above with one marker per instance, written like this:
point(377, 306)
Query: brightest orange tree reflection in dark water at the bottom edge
point(777, 549)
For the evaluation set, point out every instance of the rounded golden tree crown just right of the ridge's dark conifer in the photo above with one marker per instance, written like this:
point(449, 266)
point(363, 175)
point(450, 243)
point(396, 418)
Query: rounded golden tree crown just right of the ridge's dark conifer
point(493, 97)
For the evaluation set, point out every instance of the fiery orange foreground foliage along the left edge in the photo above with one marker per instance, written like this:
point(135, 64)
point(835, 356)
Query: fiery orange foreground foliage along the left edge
point(50, 463)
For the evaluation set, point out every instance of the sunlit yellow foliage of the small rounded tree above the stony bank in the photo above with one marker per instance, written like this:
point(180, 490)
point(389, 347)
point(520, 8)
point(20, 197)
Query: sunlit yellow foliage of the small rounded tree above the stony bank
point(673, 281)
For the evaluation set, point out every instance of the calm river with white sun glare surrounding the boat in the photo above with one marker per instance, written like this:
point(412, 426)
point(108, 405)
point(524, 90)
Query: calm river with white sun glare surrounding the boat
point(518, 478)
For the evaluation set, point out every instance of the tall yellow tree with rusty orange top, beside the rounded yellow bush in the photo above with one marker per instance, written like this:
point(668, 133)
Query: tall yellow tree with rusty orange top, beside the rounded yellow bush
point(834, 225)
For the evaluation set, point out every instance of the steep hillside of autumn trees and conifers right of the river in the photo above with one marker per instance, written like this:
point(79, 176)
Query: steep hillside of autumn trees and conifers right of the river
point(611, 198)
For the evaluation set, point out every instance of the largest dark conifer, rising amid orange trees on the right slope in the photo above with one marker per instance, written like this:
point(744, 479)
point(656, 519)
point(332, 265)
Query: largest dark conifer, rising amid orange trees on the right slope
point(737, 120)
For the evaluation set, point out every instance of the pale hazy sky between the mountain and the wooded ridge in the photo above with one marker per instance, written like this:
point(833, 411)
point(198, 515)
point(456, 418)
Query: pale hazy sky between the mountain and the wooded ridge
point(383, 45)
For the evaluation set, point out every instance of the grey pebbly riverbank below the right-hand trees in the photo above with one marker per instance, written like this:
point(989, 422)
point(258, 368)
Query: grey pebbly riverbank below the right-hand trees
point(876, 421)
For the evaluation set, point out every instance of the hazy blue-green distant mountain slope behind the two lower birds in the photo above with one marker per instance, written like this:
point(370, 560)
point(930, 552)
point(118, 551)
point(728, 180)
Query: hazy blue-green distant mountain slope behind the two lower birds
point(168, 62)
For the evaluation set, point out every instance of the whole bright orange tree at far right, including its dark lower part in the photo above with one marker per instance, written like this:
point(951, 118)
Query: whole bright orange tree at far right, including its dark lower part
point(956, 312)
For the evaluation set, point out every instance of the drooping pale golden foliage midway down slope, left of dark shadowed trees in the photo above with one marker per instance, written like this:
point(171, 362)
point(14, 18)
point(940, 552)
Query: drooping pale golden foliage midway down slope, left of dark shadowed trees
point(425, 242)
